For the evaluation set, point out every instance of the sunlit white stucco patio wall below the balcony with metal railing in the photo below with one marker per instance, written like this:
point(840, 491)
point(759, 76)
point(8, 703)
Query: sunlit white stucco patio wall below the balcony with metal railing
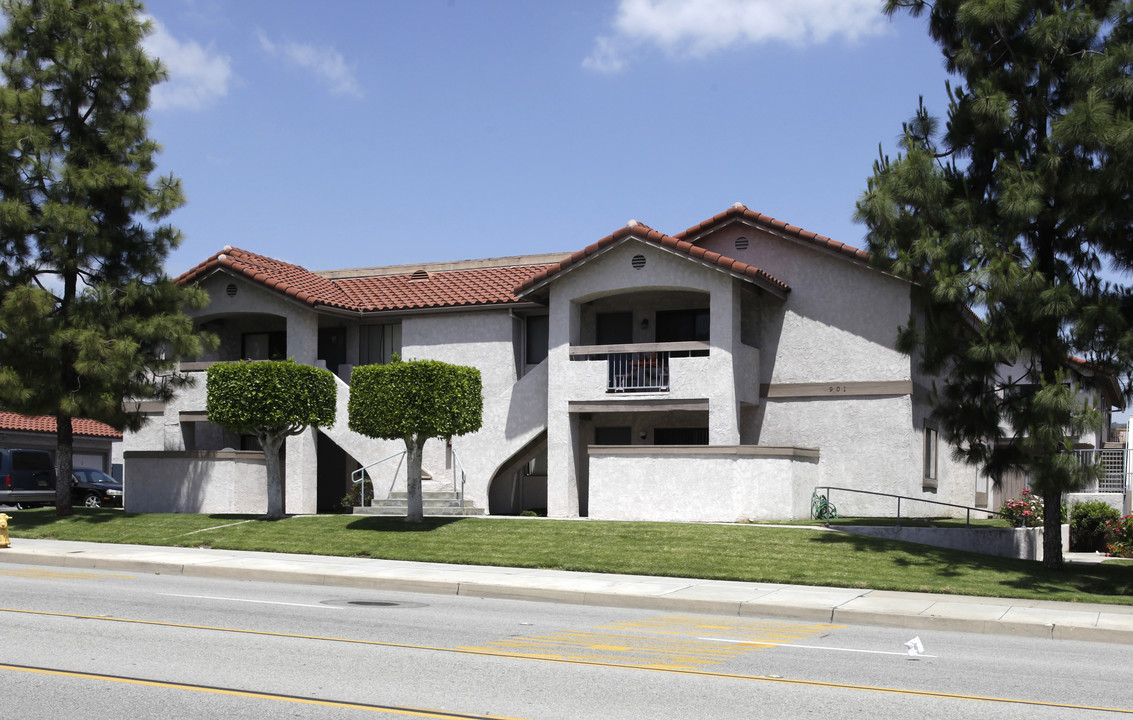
point(704, 484)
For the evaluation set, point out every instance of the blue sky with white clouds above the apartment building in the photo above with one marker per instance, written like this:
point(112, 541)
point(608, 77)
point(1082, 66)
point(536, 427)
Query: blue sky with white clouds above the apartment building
point(359, 133)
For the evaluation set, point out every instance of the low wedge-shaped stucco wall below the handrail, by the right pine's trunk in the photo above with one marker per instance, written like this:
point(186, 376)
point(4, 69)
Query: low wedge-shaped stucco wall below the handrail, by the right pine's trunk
point(1007, 543)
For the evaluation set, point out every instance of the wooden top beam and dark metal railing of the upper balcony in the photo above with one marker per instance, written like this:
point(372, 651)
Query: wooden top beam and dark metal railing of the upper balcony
point(638, 368)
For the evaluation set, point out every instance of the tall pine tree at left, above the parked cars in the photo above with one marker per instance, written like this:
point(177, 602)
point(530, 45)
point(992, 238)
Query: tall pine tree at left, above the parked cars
point(88, 317)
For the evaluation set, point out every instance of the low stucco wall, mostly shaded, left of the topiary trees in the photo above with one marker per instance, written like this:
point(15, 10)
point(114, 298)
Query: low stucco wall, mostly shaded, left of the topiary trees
point(226, 481)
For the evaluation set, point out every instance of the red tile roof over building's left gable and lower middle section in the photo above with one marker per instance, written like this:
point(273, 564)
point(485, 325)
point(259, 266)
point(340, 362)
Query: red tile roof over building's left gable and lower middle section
point(449, 289)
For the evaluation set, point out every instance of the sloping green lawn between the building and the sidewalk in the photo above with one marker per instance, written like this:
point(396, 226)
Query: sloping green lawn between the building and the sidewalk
point(735, 553)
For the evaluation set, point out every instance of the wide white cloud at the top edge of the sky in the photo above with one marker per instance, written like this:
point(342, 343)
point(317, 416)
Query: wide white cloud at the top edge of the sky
point(700, 28)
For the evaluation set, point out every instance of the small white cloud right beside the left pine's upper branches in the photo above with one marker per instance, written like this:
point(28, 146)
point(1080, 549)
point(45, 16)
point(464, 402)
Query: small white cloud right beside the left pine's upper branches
point(197, 75)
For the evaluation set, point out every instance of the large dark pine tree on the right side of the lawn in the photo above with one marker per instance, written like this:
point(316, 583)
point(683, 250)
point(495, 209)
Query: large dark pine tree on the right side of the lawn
point(1004, 222)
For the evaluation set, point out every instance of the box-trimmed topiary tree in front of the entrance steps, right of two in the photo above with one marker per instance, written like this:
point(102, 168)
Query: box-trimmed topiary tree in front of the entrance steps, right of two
point(415, 401)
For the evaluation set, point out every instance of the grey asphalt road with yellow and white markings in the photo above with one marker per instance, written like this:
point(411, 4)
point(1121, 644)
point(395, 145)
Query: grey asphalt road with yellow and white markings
point(108, 645)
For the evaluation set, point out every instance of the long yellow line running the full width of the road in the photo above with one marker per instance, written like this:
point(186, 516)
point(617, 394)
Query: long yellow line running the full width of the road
point(600, 664)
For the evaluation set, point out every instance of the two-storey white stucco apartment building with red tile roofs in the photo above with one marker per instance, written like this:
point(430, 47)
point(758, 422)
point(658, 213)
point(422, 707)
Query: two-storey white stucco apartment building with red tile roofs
point(721, 374)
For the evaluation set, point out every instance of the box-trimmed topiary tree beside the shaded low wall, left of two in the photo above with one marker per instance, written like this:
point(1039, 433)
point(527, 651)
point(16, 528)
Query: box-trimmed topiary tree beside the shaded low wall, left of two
point(271, 400)
